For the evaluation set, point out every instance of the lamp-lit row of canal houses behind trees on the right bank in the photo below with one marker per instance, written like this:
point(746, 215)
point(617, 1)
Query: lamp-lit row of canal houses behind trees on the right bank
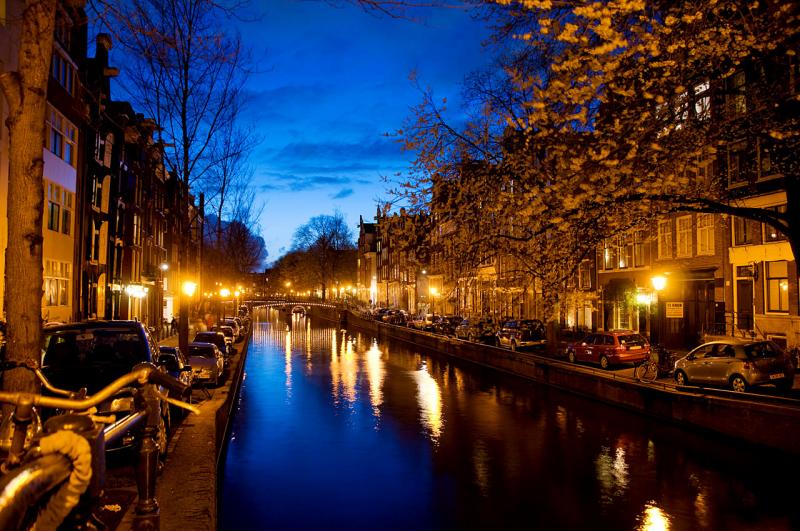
point(685, 278)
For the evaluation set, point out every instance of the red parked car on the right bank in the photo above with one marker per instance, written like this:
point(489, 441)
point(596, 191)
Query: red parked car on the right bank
point(611, 347)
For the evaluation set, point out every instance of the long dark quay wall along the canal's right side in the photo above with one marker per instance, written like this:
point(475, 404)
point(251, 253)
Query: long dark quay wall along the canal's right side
point(763, 420)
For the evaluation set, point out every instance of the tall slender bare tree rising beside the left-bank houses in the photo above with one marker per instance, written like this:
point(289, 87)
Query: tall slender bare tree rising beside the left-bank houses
point(186, 70)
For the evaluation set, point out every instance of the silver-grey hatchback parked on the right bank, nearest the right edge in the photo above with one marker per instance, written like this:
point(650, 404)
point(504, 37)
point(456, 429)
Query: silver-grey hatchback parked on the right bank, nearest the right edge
point(737, 364)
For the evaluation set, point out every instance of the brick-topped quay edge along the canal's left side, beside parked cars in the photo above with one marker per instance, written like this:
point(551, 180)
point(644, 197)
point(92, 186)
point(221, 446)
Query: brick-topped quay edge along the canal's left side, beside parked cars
point(187, 490)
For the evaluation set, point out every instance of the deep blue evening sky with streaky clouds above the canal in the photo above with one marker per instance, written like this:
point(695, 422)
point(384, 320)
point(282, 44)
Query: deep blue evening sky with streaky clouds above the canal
point(332, 81)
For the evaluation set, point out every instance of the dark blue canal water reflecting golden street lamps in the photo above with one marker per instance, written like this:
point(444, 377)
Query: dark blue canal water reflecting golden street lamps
point(334, 431)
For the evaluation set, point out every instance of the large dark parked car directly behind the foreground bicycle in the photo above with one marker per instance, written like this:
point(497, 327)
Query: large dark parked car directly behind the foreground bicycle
point(91, 355)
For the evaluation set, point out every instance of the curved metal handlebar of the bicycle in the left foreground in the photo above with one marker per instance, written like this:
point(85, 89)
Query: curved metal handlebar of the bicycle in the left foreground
point(143, 373)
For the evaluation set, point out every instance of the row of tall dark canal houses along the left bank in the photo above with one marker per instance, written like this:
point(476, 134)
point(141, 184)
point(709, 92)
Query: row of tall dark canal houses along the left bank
point(111, 208)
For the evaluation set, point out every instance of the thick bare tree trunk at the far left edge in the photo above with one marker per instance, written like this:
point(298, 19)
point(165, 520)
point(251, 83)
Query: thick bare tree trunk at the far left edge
point(26, 94)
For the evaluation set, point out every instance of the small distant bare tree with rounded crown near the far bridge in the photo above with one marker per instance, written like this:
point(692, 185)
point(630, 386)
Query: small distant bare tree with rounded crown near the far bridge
point(325, 239)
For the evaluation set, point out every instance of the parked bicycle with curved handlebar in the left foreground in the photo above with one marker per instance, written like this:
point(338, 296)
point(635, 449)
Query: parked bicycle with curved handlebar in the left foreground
point(55, 477)
